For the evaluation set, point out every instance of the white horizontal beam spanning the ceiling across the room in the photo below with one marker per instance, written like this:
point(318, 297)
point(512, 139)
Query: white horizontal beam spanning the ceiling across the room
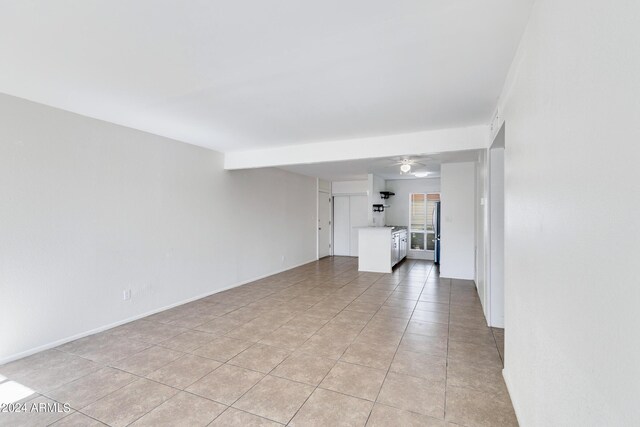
point(416, 143)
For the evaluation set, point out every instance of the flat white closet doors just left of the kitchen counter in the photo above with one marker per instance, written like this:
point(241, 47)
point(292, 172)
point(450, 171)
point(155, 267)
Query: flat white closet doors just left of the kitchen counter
point(349, 213)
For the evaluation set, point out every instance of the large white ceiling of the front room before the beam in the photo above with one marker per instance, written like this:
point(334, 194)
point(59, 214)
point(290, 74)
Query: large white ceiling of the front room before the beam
point(243, 74)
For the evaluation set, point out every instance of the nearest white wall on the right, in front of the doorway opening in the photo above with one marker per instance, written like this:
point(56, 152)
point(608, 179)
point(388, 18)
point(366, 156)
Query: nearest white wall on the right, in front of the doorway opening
point(571, 108)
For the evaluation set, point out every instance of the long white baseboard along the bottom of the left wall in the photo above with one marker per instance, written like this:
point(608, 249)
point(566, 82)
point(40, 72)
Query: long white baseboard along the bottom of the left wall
point(56, 343)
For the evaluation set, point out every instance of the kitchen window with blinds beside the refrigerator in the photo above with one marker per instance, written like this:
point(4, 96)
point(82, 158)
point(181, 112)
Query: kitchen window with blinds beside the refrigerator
point(422, 207)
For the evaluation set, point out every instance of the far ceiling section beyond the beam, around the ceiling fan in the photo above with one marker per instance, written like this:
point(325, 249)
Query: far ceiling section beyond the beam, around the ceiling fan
point(387, 168)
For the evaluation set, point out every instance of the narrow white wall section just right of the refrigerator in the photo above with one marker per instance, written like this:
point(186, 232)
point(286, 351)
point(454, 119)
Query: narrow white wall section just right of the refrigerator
point(458, 220)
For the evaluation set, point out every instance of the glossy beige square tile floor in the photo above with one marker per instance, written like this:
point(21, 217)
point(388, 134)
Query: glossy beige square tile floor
point(320, 345)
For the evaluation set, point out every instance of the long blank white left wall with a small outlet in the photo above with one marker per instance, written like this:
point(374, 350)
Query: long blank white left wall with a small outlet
point(90, 209)
